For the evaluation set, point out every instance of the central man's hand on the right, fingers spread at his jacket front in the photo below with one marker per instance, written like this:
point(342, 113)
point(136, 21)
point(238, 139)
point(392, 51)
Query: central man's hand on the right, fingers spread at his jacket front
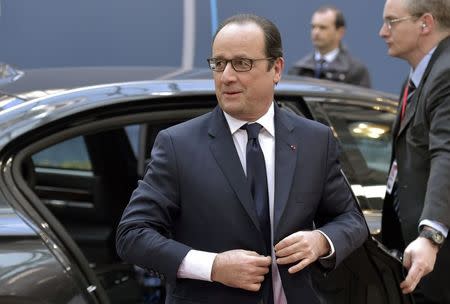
point(304, 247)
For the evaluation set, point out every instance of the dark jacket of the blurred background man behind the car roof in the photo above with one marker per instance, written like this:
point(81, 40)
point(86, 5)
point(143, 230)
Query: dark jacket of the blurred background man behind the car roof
point(344, 68)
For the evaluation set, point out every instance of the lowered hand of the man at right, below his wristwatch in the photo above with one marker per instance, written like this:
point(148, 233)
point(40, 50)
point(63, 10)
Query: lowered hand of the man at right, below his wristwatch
point(419, 258)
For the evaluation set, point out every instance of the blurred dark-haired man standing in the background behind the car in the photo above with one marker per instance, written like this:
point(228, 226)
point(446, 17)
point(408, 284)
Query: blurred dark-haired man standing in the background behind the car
point(330, 60)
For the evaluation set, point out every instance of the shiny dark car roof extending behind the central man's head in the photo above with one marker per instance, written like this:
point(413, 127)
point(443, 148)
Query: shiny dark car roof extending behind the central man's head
point(44, 95)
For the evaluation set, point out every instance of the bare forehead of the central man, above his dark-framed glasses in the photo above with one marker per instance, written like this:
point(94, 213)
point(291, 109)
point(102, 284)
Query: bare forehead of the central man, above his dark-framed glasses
point(238, 40)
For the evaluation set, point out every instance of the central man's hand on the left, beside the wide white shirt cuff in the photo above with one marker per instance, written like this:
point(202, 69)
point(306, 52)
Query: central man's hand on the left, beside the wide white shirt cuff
point(240, 269)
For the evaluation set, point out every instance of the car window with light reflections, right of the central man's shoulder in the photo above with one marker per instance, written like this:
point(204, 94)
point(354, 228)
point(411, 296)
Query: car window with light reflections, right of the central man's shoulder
point(364, 136)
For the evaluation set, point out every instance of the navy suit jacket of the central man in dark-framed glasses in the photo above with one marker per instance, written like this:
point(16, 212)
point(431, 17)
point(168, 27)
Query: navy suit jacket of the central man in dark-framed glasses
point(195, 195)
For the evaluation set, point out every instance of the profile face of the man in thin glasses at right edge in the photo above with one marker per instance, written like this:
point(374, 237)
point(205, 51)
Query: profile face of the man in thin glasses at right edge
point(403, 37)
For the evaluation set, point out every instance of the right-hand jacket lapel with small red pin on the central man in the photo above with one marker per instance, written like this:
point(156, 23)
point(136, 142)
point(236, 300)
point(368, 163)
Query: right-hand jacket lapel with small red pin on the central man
point(286, 152)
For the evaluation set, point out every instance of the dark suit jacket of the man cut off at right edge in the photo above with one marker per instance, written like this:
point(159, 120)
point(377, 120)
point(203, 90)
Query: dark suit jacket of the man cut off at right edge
point(418, 143)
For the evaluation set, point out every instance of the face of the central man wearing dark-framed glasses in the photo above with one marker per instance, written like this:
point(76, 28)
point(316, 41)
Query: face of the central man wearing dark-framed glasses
point(244, 95)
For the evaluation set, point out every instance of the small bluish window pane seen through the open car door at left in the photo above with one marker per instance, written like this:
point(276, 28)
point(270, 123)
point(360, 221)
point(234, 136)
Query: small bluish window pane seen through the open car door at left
point(69, 154)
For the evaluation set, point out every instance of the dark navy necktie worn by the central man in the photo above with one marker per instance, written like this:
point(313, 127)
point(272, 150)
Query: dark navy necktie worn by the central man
point(257, 178)
